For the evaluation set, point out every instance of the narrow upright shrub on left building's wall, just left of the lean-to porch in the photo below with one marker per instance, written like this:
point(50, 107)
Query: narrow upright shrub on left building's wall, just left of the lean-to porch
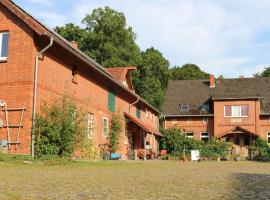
point(115, 130)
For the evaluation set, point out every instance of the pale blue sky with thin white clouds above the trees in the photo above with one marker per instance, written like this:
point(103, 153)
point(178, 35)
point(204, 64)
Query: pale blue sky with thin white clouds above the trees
point(228, 37)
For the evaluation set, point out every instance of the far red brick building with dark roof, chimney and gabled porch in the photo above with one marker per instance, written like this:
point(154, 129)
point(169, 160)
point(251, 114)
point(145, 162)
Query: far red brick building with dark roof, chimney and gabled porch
point(236, 109)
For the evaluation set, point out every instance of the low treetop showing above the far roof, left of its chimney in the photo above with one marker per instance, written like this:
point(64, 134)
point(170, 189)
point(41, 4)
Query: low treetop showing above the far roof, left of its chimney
point(188, 72)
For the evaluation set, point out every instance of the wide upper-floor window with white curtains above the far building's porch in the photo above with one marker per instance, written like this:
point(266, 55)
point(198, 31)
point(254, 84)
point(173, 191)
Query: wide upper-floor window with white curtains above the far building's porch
point(236, 111)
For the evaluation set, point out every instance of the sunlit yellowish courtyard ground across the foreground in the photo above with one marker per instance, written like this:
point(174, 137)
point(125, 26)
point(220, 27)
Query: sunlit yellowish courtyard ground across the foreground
point(149, 180)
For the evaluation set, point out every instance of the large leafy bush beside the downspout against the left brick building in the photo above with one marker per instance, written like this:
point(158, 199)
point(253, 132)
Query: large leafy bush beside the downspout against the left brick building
point(60, 128)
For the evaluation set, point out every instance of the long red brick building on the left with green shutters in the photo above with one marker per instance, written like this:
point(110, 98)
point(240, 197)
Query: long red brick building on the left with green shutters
point(27, 45)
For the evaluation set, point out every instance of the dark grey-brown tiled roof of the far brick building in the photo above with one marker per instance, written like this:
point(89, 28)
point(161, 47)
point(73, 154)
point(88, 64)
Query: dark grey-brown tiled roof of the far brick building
point(197, 92)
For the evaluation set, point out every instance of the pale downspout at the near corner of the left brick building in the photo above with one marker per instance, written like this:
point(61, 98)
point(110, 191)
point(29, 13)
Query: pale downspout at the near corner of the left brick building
point(35, 95)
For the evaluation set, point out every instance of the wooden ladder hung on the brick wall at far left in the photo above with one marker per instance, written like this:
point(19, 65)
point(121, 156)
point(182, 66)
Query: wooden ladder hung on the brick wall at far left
point(13, 126)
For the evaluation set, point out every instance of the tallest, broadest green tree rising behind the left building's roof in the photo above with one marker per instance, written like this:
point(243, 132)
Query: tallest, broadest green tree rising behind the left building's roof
point(105, 38)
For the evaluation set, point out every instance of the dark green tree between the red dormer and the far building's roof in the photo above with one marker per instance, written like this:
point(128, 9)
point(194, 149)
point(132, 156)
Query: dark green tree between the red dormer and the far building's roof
point(152, 77)
